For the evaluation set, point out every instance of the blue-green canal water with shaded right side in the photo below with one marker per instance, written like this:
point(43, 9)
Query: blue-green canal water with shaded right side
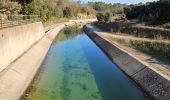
point(76, 69)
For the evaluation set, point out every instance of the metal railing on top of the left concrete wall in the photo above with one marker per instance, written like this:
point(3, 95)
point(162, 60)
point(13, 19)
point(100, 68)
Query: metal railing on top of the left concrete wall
point(15, 20)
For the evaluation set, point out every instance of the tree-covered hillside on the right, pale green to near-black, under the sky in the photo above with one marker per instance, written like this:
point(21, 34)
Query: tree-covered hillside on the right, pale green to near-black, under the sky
point(151, 12)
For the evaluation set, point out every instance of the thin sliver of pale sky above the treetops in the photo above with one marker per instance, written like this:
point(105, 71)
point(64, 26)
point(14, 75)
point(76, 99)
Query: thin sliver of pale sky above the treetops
point(121, 1)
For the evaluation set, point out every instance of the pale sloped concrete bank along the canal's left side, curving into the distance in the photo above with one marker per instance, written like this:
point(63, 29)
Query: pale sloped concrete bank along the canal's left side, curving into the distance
point(16, 77)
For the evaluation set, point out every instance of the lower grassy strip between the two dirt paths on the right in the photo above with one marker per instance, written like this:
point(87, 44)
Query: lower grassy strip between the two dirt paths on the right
point(156, 48)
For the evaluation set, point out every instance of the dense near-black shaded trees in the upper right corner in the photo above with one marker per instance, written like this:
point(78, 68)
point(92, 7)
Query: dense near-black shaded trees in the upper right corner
point(155, 12)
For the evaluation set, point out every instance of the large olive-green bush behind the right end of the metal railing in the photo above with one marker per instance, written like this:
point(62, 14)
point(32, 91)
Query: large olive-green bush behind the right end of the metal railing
point(42, 8)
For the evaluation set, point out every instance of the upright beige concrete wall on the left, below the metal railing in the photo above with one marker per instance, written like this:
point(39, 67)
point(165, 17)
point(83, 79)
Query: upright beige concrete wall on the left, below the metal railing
point(16, 40)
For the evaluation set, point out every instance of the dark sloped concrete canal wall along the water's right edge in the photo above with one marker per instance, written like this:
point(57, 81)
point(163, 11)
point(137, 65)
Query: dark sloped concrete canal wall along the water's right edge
point(156, 86)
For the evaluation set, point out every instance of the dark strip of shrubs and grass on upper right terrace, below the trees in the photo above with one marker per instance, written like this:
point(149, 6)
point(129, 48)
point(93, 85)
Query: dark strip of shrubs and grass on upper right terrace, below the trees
point(137, 30)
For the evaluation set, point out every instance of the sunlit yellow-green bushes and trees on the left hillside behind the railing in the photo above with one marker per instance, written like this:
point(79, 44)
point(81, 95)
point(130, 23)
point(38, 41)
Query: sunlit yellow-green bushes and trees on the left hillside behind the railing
point(47, 10)
